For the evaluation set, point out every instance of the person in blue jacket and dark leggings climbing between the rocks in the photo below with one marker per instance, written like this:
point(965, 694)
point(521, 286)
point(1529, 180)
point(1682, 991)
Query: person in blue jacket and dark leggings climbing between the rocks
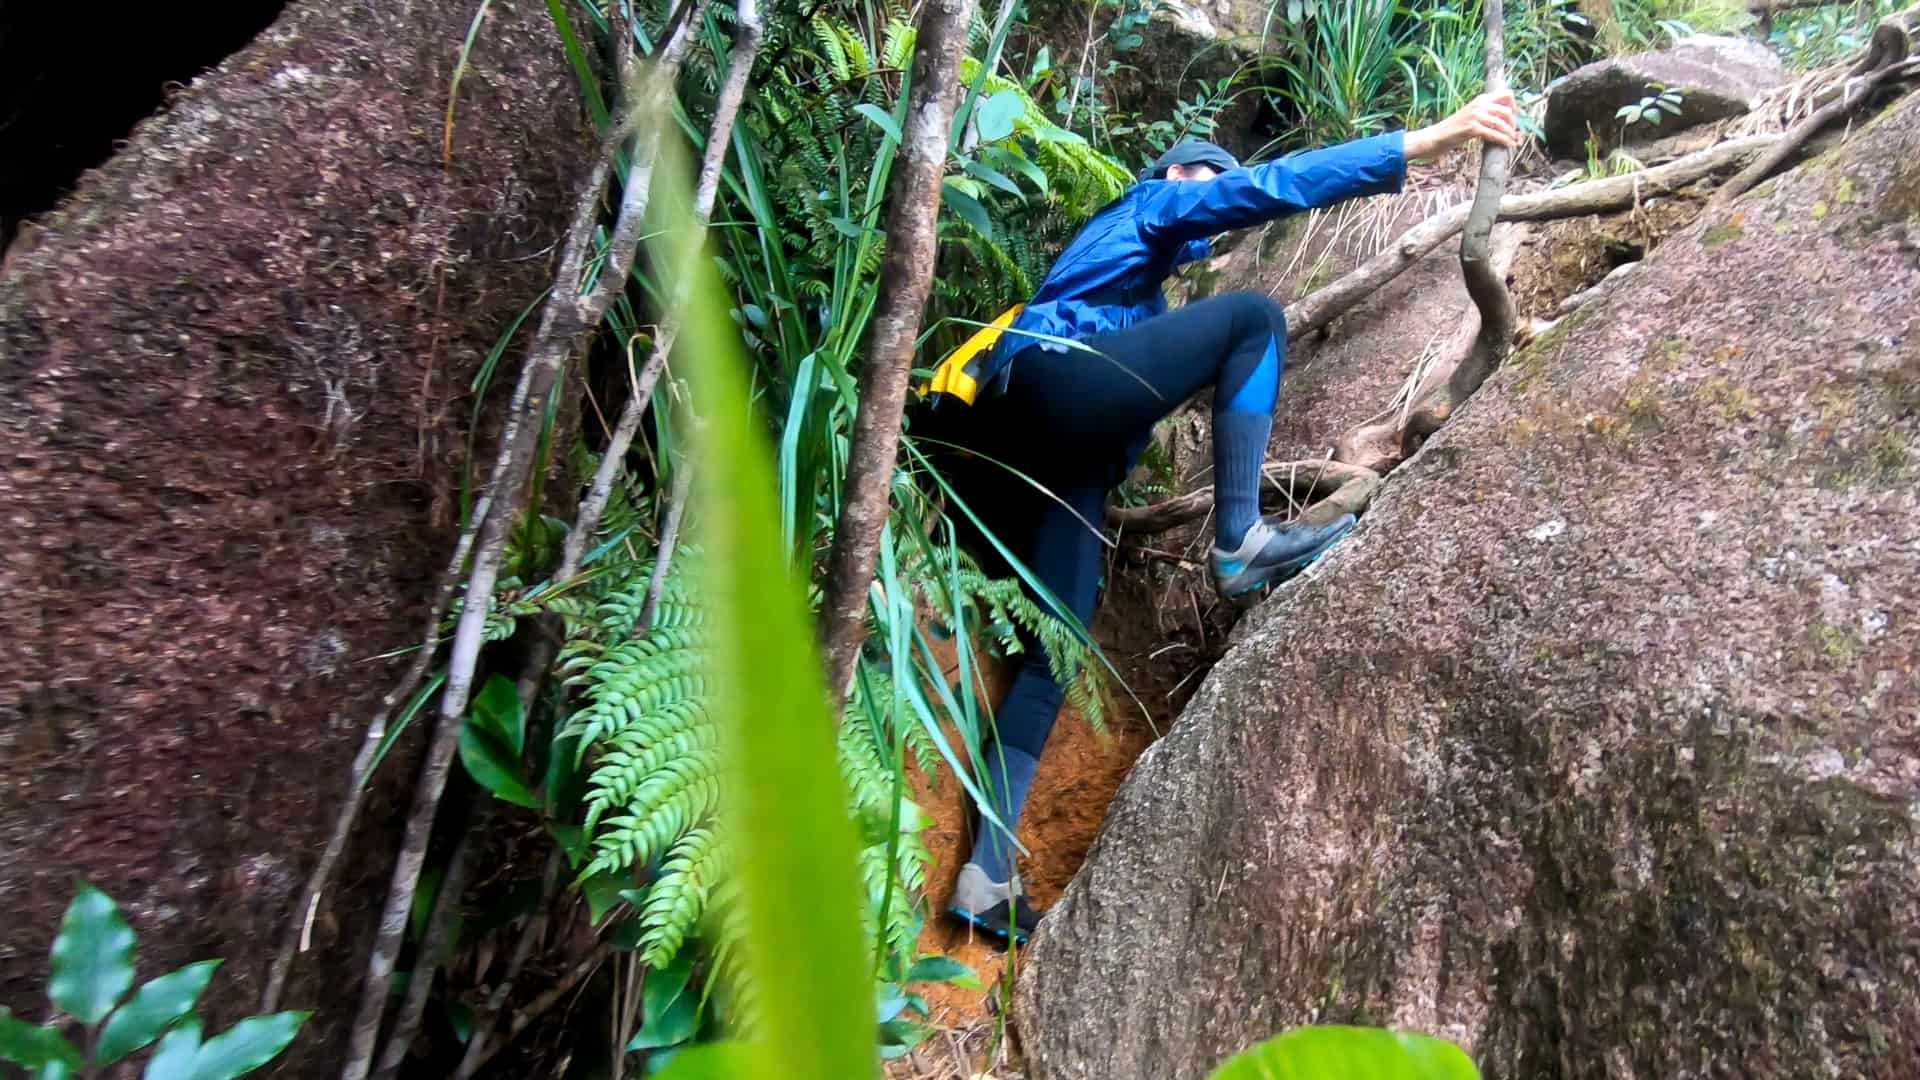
point(1076, 420)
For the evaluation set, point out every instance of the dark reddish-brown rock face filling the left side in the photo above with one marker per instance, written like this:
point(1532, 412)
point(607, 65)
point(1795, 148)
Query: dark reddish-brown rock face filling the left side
point(233, 383)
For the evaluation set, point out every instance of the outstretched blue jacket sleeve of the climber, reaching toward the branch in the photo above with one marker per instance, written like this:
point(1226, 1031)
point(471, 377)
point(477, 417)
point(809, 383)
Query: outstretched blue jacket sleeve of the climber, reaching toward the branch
point(1176, 212)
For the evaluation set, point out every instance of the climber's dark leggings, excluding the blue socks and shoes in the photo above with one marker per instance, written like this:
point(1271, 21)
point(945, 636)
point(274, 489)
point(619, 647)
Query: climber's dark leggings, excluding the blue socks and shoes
point(1076, 424)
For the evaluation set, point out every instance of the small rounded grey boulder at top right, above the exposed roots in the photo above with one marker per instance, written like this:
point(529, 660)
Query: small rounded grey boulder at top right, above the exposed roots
point(1717, 78)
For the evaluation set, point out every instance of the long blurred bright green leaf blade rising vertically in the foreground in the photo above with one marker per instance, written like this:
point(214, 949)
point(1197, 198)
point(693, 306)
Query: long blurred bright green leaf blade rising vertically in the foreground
point(786, 810)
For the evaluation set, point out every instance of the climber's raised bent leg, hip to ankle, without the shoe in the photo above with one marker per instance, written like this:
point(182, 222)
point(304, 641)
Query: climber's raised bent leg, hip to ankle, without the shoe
point(1234, 343)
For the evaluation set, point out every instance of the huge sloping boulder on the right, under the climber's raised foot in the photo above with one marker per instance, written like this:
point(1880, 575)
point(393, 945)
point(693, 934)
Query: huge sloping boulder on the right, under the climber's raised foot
point(1598, 747)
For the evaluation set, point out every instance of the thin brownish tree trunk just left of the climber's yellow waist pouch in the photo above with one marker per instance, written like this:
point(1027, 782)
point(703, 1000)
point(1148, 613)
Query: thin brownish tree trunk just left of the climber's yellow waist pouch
point(907, 278)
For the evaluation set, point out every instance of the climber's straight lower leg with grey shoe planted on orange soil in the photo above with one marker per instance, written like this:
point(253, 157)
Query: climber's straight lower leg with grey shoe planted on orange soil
point(1065, 554)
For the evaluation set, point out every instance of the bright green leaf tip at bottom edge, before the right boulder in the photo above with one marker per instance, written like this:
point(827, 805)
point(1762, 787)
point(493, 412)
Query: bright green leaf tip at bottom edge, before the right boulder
point(1378, 1054)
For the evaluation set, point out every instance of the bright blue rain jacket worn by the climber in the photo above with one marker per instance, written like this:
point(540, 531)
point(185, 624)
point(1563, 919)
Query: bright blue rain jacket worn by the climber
point(1109, 278)
